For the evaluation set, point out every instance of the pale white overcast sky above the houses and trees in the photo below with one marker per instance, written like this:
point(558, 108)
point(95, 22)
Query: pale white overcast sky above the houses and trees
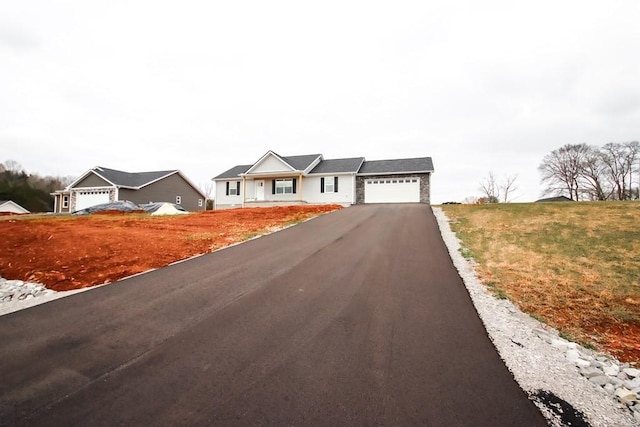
point(203, 86)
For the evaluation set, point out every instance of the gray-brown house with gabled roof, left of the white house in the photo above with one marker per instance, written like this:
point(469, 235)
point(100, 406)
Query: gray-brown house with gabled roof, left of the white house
point(102, 185)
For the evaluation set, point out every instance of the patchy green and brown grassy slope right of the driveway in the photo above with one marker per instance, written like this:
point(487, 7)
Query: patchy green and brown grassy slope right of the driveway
point(574, 266)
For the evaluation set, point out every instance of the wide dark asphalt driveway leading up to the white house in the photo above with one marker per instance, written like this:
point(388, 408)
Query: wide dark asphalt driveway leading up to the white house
point(357, 318)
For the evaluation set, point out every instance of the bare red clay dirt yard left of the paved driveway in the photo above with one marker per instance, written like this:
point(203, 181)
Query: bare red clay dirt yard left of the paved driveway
point(72, 252)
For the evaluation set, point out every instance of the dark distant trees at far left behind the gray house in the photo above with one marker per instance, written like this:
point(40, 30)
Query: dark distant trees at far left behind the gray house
point(31, 191)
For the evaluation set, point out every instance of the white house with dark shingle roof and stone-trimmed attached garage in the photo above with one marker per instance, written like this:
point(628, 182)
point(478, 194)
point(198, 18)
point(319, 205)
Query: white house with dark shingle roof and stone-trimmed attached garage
point(275, 179)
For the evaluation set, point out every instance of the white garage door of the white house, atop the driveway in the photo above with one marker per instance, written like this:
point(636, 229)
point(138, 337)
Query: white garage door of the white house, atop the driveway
point(392, 190)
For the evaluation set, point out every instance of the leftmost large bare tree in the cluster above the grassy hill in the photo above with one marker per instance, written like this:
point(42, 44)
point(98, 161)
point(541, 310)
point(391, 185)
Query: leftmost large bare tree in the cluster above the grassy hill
point(560, 170)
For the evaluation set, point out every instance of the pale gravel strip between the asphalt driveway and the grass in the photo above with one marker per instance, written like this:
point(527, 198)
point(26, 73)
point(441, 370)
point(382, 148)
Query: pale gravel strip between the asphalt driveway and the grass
point(535, 364)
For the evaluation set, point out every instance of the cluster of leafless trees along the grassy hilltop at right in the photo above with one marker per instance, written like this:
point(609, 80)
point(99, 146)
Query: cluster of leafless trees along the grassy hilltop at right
point(586, 172)
